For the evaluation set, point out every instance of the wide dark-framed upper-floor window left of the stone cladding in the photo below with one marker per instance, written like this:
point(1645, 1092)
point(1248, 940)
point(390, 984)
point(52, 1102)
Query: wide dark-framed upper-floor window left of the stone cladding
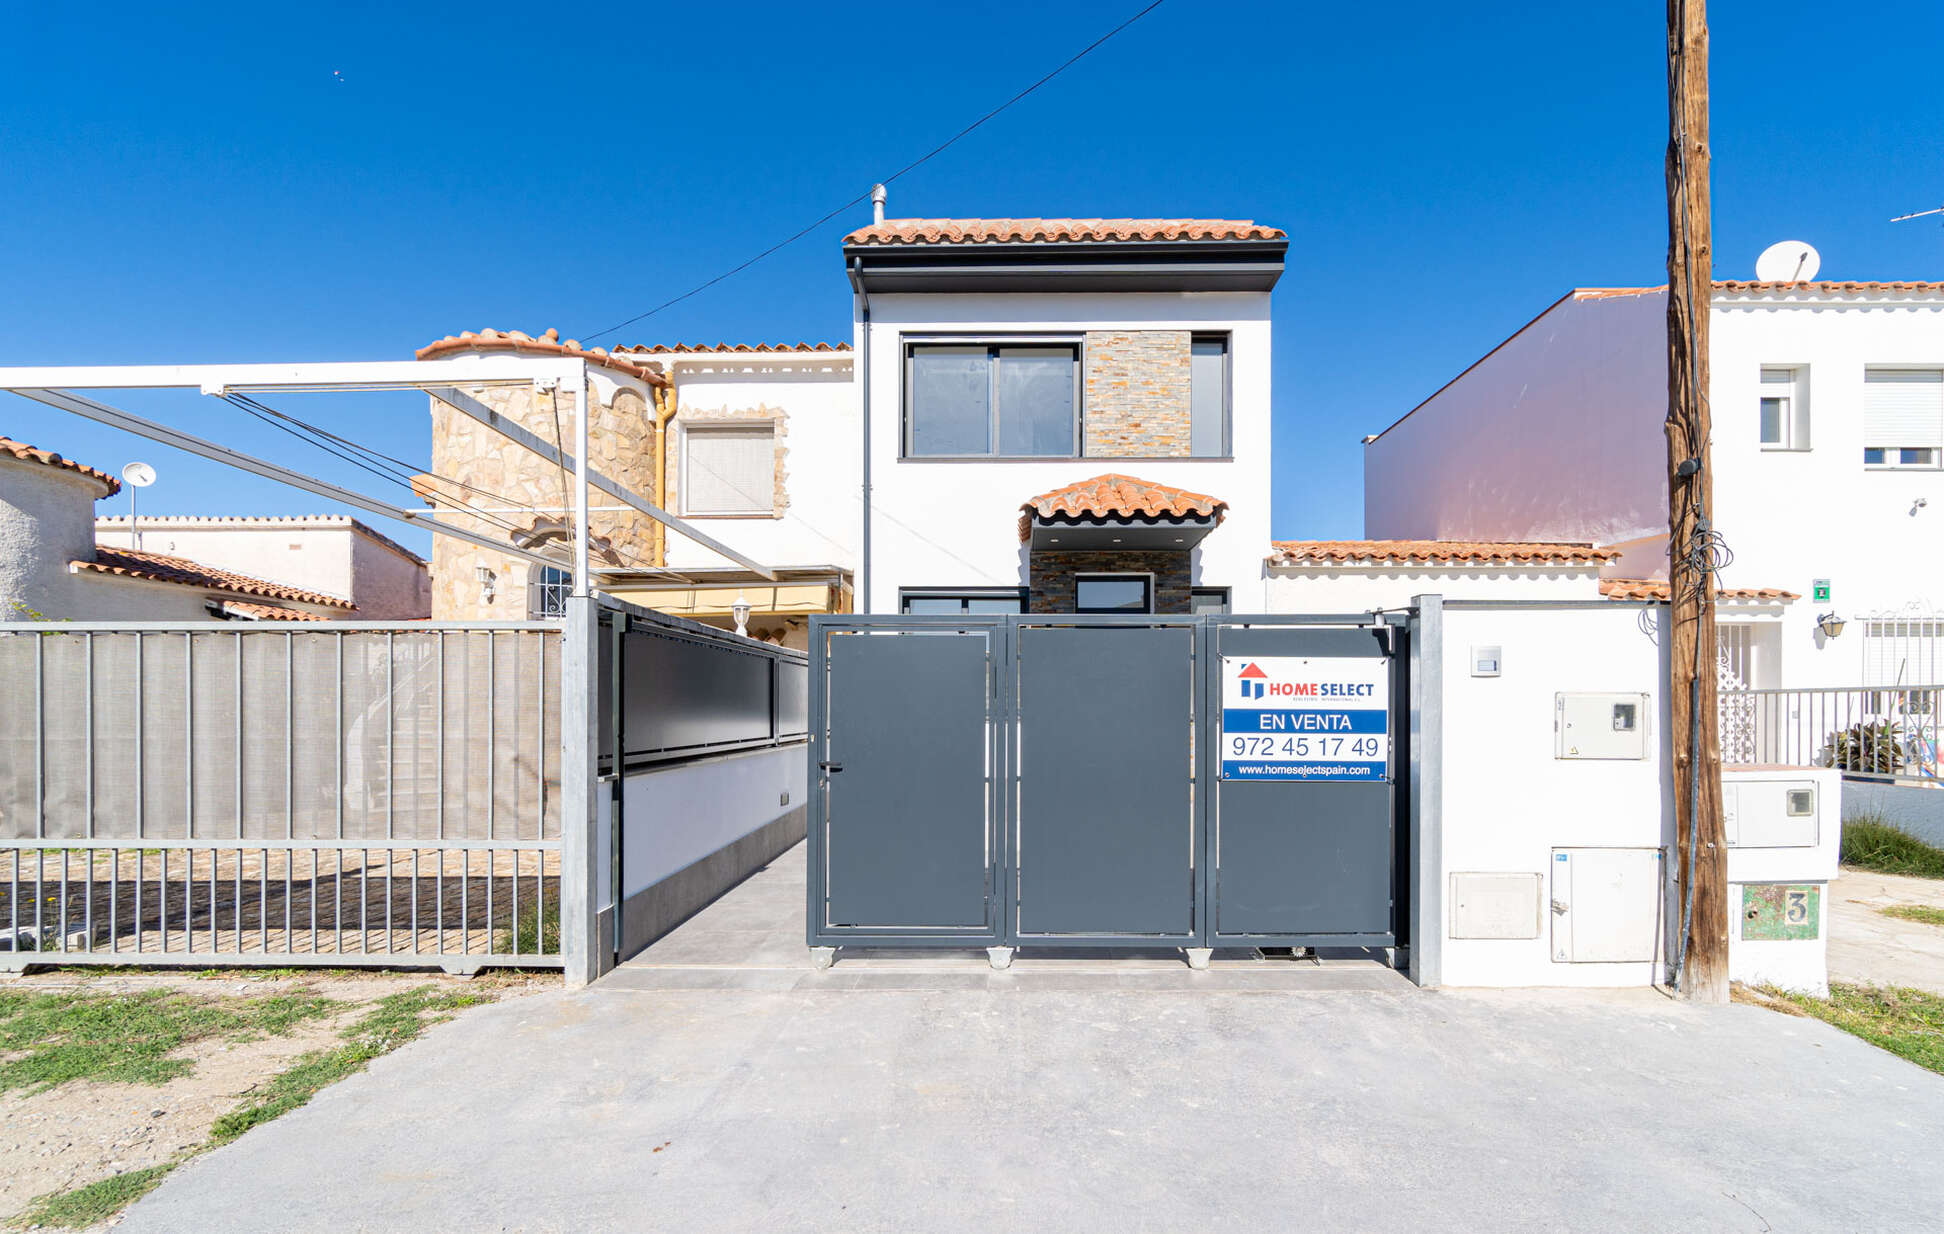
point(981, 399)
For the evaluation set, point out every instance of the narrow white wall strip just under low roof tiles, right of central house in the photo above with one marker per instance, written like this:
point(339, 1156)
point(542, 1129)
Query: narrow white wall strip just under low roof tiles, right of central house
point(1370, 588)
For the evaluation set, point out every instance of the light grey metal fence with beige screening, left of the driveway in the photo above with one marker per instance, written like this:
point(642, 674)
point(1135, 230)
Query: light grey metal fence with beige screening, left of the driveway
point(281, 794)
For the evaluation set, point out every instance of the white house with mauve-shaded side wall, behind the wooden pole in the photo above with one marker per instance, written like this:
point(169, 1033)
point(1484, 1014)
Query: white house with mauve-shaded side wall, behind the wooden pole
point(1828, 463)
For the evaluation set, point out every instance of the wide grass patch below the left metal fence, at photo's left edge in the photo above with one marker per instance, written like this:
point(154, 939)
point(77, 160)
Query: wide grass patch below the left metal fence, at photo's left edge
point(52, 1039)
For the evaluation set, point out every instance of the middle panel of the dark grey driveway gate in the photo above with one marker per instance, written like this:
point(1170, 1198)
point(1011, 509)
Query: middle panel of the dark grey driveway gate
point(1107, 831)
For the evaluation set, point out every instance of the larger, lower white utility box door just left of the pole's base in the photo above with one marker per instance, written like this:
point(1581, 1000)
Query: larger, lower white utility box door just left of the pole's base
point(1607, 907)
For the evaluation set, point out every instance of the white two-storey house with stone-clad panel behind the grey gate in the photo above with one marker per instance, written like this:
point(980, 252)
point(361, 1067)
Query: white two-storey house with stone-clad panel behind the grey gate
point(1064, 415)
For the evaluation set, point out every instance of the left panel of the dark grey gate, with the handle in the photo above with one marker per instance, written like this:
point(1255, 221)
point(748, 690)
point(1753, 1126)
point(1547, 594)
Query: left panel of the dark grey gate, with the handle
point(907, 804)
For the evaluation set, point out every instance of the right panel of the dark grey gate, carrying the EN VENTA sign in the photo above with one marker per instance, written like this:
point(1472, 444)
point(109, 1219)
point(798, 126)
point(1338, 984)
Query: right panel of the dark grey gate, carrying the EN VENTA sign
point(1305, 864)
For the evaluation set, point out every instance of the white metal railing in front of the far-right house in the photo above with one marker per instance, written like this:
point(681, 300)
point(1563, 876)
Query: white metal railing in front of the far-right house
point(1869, 734)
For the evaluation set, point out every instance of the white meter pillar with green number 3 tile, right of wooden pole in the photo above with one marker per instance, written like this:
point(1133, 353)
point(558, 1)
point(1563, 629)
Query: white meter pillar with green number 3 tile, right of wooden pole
point(1786, 837)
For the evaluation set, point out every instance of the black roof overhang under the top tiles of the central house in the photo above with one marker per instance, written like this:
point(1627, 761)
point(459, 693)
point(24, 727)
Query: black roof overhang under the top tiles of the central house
point(1228, 265)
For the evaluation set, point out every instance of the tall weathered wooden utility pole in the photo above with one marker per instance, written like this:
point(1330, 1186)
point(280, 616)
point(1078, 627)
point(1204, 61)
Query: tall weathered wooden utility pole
point(1692, 685)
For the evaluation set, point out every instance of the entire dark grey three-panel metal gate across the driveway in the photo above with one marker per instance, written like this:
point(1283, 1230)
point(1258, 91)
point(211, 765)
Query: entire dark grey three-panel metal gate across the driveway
point(1059, 780)
